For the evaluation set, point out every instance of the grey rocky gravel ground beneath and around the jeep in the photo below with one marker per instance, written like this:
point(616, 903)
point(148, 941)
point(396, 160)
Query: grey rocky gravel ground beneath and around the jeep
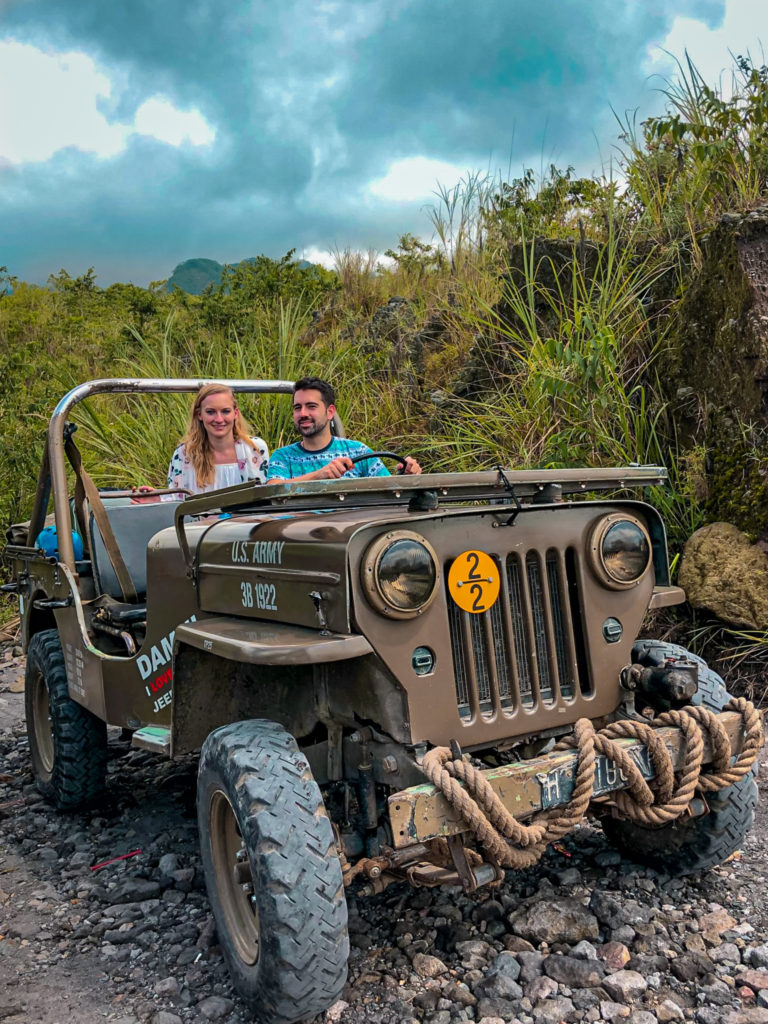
point(104, 917)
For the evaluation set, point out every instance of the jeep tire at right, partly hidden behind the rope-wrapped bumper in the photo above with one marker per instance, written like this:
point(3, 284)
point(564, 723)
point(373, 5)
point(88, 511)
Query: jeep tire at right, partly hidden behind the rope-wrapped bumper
point(691, 845)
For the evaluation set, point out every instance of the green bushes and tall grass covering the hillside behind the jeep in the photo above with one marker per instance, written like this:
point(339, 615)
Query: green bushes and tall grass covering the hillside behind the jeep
point(571, 355)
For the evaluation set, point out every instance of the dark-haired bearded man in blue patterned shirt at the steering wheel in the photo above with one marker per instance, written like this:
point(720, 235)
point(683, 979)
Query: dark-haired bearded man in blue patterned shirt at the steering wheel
point(321, 456)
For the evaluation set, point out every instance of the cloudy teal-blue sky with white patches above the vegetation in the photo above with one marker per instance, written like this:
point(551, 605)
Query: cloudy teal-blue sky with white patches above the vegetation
point(139, 134)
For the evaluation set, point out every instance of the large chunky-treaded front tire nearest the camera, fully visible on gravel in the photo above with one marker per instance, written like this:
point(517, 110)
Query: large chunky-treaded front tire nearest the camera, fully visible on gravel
point(273, 874)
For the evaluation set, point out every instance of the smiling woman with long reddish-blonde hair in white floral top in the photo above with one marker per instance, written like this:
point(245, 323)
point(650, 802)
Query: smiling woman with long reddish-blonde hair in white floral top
point(218, 450)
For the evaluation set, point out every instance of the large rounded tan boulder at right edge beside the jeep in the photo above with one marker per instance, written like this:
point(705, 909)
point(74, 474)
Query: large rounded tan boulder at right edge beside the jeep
point(723, 573)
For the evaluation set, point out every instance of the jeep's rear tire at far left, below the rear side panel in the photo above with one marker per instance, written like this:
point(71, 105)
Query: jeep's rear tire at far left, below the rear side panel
point(68, 744)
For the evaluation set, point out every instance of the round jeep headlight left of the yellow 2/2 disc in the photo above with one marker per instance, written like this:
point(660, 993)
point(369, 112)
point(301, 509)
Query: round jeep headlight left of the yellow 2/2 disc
point(400, 575)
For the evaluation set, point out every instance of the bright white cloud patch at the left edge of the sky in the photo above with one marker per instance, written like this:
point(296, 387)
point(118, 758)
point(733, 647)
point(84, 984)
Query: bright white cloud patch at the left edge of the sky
point(51, 101)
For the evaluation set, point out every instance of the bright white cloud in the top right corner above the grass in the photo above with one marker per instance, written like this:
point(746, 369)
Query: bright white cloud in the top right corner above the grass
point(745, 29)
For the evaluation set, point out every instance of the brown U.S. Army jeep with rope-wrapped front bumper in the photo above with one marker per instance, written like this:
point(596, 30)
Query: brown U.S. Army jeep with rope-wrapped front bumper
point(412, 679)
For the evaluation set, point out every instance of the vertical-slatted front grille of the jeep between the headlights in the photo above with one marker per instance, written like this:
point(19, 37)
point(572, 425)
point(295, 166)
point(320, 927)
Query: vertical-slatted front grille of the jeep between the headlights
point(527, 651)
